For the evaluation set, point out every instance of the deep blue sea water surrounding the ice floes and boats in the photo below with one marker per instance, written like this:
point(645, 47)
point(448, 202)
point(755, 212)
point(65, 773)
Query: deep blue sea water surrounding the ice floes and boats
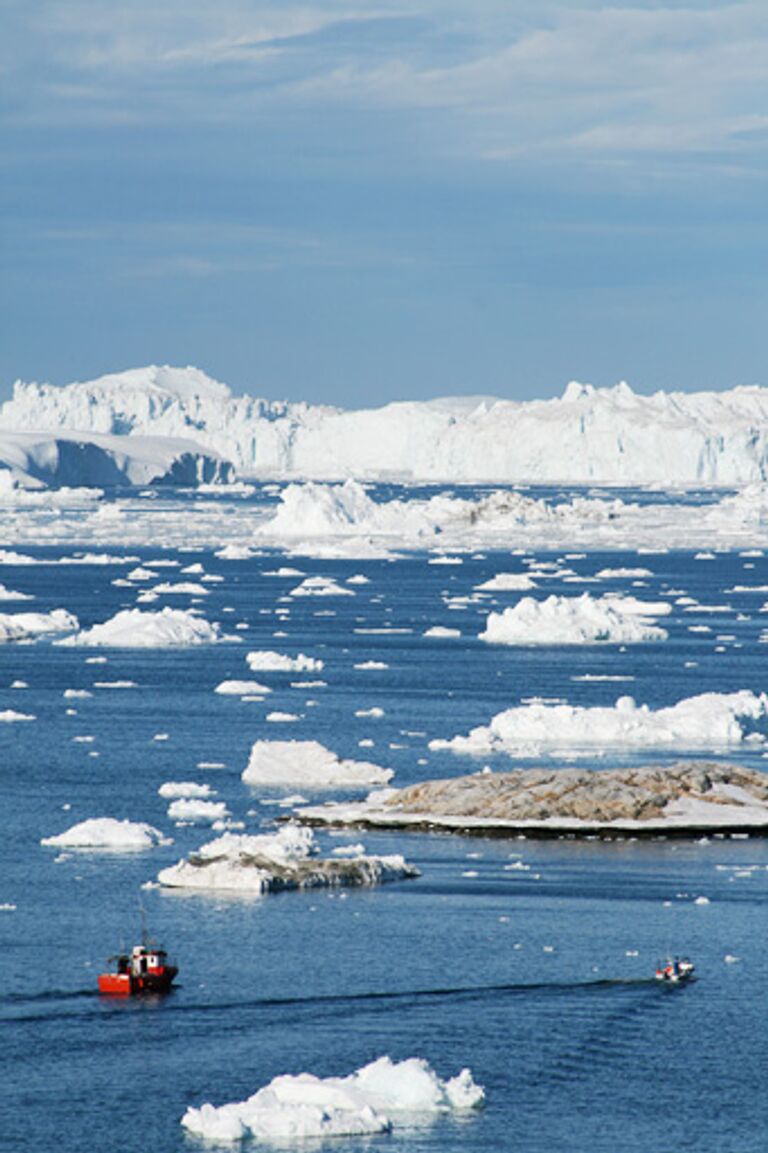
point(539, 978)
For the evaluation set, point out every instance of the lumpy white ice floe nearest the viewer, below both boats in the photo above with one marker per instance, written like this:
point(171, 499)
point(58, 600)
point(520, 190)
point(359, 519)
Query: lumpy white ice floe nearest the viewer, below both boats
point(382, 1096)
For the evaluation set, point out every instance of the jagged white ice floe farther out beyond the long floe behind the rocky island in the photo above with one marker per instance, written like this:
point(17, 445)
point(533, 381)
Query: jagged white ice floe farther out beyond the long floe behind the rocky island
point(575, 621)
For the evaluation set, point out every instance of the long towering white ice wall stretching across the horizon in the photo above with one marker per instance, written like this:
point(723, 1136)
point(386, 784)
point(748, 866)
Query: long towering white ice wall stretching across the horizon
point(586, 436)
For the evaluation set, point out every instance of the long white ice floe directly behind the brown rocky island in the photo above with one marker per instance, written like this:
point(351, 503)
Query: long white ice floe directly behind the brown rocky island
point(707, 721)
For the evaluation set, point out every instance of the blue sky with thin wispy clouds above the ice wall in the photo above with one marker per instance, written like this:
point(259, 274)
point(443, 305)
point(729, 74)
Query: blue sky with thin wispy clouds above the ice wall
point(353, 204)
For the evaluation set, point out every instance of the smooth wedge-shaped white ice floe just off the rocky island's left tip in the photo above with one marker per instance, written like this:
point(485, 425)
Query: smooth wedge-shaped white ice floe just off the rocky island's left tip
point(308, 764)
